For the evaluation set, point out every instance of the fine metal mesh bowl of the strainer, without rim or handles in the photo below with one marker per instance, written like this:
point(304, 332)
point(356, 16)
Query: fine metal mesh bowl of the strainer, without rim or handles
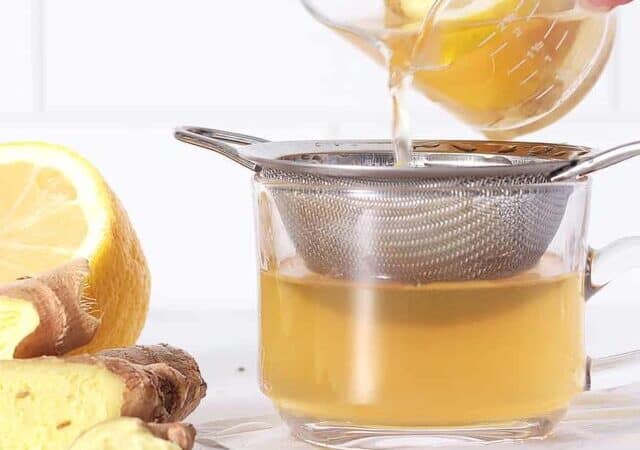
point(418, 230)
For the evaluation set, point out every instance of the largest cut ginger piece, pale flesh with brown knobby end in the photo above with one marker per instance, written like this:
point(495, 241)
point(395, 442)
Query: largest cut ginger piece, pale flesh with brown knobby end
point(46, 403)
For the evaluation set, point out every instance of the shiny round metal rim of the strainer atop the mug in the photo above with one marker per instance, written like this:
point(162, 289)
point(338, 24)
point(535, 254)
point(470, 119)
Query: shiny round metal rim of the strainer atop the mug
point(548, 157)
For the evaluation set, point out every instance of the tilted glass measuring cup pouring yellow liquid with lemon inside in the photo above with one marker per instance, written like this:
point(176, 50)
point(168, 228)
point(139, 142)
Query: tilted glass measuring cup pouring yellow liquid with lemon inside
point(505, 67)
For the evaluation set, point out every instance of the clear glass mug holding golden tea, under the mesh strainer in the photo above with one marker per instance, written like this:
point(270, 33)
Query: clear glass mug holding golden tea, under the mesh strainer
point(365, 362)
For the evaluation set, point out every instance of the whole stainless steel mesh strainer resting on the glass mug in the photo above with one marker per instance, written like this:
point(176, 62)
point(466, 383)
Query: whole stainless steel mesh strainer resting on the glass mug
point(463, 210)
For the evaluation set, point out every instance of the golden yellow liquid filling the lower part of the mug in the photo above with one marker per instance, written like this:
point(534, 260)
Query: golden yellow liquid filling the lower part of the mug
point(443, 354)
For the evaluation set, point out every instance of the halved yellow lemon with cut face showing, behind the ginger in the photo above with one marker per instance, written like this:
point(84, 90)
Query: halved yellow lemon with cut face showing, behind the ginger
point(56, 207)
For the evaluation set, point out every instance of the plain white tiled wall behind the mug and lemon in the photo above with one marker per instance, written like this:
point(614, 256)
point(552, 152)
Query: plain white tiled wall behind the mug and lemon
point(112, 78)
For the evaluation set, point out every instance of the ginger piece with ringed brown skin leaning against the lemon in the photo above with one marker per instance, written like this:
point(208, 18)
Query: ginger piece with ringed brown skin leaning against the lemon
point(46, 315)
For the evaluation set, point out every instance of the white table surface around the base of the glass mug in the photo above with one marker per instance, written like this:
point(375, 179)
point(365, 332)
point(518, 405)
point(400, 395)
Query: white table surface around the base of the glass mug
point(224, 342)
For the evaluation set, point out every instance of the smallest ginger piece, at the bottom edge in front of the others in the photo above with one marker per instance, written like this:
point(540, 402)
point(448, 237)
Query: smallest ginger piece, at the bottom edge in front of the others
point(126, 432)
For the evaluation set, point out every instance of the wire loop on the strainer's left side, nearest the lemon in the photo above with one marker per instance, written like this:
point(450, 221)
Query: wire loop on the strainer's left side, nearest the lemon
point(220, 142)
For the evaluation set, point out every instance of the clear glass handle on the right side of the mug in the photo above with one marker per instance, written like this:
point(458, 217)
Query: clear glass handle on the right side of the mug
point(602, 267)
